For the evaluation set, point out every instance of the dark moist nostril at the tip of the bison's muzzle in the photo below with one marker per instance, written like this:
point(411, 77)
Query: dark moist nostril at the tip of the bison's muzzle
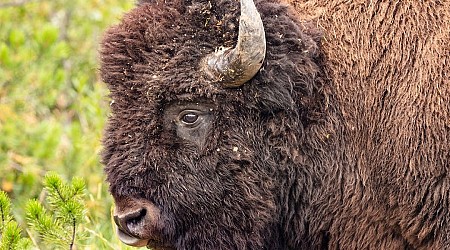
point(132, 222)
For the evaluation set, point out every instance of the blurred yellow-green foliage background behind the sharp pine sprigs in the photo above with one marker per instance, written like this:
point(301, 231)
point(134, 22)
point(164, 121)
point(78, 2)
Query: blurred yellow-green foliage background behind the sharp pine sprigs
point(53, 106)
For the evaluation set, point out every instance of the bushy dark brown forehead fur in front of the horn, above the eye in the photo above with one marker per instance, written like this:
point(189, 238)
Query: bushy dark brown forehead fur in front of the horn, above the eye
point(166, 41)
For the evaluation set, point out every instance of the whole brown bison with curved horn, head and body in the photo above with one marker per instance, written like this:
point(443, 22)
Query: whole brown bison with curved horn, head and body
point(315, 124)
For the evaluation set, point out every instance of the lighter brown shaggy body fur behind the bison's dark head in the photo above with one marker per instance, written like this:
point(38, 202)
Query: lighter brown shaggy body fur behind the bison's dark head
point(389, 63)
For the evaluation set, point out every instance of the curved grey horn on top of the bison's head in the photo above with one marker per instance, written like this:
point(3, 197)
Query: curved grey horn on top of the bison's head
point(232, 67)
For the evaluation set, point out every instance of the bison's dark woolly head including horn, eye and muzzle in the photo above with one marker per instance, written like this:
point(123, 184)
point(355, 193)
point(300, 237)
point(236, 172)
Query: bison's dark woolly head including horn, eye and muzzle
point(207, 145)
